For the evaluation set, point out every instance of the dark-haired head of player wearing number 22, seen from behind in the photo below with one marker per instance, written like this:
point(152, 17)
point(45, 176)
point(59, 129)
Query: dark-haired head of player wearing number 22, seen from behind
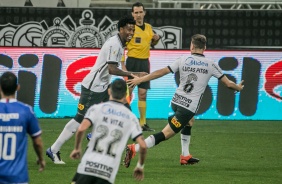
point(118, 89)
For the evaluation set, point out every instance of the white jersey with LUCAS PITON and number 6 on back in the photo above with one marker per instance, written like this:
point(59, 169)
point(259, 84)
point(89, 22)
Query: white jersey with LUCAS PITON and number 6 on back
point(195, 72)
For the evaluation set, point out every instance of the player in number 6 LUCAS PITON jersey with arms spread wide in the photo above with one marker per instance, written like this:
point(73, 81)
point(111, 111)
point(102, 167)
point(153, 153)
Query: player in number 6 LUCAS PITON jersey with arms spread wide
point(195, 72)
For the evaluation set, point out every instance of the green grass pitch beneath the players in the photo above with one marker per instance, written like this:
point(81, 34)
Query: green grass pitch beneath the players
point(230, 152)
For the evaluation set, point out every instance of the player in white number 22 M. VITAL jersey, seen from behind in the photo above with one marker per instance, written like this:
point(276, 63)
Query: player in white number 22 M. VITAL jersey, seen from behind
point(113, 124)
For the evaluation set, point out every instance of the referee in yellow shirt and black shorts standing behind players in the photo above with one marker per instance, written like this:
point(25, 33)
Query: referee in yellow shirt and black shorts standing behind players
point(138, 57)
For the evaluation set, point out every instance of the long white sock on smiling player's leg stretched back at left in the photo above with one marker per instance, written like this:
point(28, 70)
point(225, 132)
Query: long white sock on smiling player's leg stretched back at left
point(65, 135)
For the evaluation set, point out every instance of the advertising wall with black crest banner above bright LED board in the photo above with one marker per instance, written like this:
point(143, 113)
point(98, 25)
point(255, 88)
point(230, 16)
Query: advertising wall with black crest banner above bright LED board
point(51, 50)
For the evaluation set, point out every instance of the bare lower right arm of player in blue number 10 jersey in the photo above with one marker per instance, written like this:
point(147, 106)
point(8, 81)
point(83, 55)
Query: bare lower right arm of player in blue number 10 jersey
point(38, 148)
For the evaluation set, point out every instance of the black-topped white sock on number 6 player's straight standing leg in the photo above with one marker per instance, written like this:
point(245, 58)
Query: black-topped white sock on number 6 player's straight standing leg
point(185, 140)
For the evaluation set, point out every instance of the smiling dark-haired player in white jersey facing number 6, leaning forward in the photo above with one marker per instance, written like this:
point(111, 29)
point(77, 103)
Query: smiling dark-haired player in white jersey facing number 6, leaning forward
point(95, 84)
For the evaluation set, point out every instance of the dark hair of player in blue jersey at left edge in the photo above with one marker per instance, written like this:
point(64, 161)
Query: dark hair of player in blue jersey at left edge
point(8, 83)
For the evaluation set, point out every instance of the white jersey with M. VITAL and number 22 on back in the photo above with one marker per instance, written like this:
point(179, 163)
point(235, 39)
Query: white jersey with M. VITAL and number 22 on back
point(113, 124)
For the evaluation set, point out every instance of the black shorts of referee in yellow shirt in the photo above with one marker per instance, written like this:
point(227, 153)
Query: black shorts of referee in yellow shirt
point(139, 65)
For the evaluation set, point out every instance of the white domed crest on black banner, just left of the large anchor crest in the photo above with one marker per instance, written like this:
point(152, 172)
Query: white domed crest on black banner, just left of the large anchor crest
point(56, 36)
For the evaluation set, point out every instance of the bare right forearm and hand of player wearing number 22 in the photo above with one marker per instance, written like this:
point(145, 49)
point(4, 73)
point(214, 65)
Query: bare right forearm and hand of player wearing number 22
point(139, 169)
